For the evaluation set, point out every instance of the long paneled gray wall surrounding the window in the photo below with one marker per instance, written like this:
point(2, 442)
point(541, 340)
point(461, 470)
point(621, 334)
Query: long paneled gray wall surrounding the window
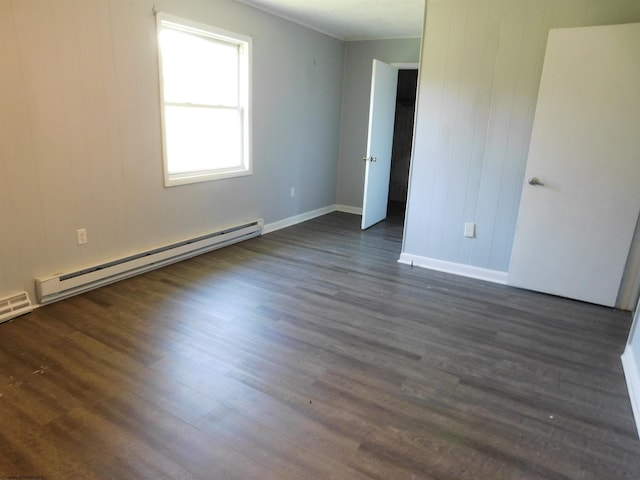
point(80, 132)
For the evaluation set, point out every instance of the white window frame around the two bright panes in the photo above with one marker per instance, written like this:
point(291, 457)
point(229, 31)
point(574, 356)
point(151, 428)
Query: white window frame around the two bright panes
point(245, 47)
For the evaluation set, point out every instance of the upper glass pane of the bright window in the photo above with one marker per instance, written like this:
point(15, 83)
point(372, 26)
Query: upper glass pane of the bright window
point(198, 69)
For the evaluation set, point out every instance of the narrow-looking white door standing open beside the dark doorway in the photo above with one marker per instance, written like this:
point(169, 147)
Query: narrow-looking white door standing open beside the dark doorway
point(382, 112)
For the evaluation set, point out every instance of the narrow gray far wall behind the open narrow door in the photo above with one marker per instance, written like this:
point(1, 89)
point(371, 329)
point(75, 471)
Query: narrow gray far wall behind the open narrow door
point(359, 57)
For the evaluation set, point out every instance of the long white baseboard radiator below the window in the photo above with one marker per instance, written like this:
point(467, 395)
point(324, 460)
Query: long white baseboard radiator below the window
point(57, 287)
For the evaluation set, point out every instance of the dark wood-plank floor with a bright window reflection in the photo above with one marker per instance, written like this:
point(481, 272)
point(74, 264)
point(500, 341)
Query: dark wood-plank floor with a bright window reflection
point(310, 353)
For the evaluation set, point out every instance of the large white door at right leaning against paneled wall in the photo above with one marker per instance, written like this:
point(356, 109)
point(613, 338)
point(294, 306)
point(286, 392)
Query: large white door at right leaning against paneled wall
point(575, 227)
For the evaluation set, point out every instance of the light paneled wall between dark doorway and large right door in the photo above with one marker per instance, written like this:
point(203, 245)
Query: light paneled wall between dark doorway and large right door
point(480, 72)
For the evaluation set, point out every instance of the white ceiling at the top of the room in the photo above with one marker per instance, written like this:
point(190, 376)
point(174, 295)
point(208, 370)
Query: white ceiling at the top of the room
point(351, 19)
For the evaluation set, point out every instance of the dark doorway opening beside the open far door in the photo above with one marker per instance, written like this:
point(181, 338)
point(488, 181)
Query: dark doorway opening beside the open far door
point(402, 143)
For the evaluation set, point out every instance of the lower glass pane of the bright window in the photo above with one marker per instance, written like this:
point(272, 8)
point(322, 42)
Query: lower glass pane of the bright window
point(202, 138)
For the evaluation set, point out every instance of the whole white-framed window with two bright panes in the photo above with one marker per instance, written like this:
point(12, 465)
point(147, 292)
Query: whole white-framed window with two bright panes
point(204, 89)
